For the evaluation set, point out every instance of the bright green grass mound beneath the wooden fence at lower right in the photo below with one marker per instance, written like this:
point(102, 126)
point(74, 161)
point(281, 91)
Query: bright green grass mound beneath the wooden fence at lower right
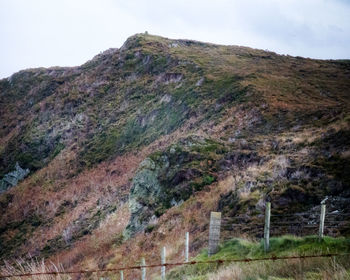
point(279, 246)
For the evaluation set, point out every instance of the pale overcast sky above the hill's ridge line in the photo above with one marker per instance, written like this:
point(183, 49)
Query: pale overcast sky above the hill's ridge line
point(43, 33)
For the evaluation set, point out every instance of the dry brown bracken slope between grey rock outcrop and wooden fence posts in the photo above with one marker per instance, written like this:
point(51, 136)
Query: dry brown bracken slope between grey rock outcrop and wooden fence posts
point(170, 232)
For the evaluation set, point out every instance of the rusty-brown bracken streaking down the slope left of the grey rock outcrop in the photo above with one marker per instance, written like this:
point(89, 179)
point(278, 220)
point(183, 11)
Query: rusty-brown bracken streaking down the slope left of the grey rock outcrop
point(45, 191)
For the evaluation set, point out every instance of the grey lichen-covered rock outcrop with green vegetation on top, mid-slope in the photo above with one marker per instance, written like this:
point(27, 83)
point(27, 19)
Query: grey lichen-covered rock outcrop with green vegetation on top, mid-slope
point(168, 178)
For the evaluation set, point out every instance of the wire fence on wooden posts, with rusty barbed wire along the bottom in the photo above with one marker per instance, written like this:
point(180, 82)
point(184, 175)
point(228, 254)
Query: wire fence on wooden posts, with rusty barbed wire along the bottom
point(278, 224)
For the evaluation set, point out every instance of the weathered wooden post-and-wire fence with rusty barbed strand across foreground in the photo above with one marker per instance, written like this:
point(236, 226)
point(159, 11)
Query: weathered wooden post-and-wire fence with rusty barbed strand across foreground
point(265, 225)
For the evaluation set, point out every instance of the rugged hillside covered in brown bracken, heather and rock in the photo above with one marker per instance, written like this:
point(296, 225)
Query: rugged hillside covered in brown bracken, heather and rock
point(135, 147)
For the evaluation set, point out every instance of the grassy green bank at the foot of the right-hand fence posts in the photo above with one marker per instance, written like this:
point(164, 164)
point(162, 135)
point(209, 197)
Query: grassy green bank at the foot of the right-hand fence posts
point(315, 268)
